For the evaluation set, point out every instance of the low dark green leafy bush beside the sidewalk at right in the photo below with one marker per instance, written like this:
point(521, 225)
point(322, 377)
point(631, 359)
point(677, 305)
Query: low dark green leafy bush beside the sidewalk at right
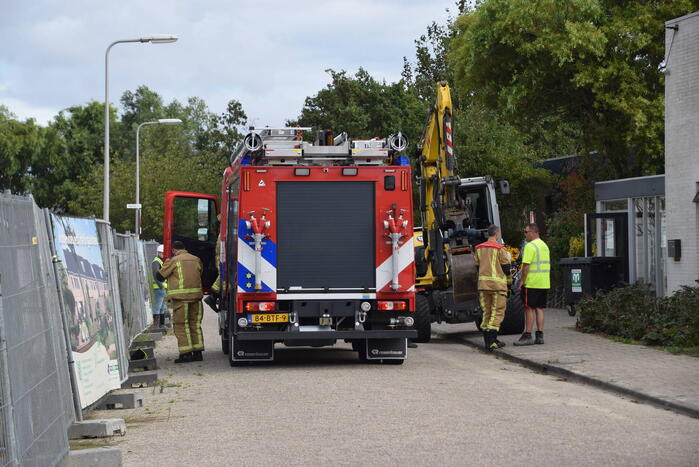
point(633, 313)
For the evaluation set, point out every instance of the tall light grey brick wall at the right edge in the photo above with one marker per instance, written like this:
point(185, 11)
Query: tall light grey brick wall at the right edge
point(682, 147)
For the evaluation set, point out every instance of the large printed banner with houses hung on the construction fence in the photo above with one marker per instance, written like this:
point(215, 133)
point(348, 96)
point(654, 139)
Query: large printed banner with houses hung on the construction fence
point(86, 295)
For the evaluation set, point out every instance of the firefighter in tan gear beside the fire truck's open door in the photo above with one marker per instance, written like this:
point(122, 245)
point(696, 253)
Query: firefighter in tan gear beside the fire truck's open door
point(183, 274)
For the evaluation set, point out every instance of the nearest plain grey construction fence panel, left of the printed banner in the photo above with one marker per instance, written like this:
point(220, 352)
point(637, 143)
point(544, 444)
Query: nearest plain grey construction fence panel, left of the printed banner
point(33, 390)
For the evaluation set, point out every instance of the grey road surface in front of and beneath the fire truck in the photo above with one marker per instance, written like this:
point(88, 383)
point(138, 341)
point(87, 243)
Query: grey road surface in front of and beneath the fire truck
point(447, 405)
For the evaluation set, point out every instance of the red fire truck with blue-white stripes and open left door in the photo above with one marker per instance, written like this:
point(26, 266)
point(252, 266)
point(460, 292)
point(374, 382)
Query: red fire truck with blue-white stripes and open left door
point(315, 244)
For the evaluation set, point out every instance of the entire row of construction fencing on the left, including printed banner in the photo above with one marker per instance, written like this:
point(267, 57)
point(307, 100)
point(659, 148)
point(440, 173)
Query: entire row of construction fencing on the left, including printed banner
point(73, 296)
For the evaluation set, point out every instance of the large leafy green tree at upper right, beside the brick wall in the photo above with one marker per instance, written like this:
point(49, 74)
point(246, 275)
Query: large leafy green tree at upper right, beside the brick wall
point(587, 67)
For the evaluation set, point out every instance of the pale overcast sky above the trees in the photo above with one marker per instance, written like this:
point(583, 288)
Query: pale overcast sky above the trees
point(269, 55)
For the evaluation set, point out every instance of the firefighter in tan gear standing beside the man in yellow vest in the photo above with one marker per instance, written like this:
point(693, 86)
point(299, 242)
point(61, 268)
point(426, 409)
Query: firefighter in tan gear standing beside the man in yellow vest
point(493, 262)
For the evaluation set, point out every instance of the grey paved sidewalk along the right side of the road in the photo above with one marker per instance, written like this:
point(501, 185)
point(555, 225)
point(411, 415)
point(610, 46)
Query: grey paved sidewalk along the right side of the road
point(642, 373)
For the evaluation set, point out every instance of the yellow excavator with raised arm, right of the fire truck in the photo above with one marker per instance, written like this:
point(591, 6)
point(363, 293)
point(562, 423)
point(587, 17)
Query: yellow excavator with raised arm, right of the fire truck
point(455, 213)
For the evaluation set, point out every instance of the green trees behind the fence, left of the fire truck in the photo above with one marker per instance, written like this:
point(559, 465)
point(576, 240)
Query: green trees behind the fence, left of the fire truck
point(62, 164)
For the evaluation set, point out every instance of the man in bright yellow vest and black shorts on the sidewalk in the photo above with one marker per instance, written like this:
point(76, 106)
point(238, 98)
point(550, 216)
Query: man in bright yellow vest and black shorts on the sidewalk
point(534, 284)
